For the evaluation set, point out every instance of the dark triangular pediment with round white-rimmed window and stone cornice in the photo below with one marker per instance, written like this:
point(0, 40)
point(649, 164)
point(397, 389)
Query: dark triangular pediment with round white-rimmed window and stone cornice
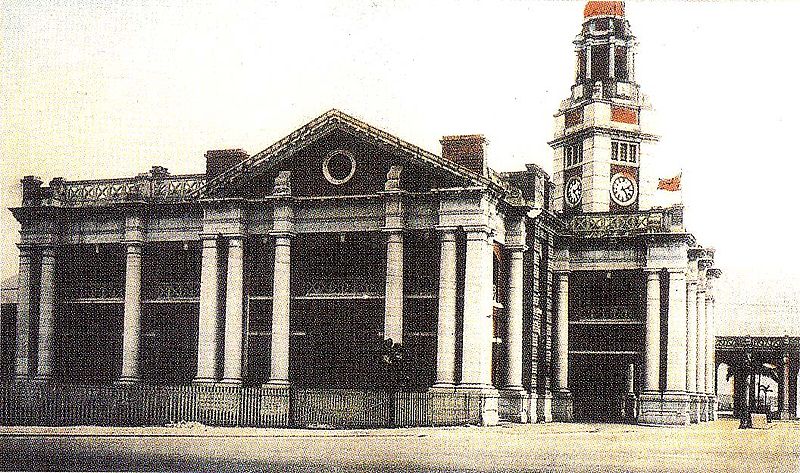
point(373, 152)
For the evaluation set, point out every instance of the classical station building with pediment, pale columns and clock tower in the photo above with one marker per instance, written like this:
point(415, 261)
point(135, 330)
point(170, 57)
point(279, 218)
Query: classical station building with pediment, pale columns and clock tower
point(543, 299)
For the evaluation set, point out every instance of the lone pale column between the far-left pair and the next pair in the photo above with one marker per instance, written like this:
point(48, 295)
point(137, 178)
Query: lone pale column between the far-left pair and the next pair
point(132, 318)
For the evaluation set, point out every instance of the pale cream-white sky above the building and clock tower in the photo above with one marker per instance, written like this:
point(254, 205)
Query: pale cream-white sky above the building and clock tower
point(111, 89)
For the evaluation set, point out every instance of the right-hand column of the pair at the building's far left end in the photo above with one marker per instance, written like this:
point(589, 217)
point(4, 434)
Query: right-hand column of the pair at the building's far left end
point(44, 369)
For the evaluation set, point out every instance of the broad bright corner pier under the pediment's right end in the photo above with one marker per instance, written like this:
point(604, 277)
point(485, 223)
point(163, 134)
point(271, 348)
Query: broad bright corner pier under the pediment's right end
point(474, 326)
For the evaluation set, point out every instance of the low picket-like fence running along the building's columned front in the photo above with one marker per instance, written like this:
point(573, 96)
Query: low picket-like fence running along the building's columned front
point(52, 404)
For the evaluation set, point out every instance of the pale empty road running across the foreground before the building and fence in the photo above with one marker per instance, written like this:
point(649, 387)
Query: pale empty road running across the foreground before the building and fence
point(718, 446)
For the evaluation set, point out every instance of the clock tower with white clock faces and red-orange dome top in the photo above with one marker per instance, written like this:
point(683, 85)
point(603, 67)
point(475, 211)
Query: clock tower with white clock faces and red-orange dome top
point(603, 160)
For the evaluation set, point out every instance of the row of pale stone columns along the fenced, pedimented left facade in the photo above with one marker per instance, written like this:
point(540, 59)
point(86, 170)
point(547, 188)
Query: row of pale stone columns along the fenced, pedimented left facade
point(221, 310)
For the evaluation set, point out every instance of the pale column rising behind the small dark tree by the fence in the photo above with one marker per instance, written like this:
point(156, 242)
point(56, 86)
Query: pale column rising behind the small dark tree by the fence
point(393, 322)
